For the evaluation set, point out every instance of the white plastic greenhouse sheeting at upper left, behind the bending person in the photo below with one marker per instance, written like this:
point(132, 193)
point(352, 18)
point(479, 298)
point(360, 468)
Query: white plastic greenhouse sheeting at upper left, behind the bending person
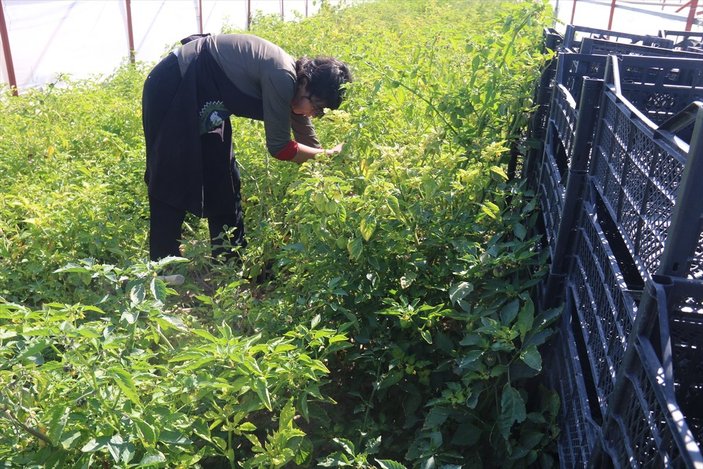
point(83, 38)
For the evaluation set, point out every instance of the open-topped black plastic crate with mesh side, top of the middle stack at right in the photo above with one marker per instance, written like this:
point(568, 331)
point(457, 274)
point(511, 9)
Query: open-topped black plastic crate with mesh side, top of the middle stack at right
point(636, 167)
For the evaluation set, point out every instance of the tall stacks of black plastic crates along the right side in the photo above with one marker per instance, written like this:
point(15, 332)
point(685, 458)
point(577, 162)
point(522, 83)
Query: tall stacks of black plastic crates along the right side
point(619, 175)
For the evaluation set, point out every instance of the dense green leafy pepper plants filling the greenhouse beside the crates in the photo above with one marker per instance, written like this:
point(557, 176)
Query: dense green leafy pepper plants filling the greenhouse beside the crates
point(381, 315)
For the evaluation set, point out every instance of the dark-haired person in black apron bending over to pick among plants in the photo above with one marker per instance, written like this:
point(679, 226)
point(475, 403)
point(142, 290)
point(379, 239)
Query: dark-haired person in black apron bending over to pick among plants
point(186, 104)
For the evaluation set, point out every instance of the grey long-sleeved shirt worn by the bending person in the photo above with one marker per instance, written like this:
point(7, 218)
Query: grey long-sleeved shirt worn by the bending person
point(262, 70)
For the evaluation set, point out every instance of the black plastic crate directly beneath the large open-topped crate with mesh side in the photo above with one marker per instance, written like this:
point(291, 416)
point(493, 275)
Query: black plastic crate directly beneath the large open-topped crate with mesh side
point(604, 303)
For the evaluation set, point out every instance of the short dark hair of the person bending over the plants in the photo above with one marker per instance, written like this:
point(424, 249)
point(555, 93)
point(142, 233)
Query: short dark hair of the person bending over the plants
point(325, 78)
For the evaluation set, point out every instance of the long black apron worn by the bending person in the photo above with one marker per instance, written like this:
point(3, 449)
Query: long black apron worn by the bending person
point(190, 164)
